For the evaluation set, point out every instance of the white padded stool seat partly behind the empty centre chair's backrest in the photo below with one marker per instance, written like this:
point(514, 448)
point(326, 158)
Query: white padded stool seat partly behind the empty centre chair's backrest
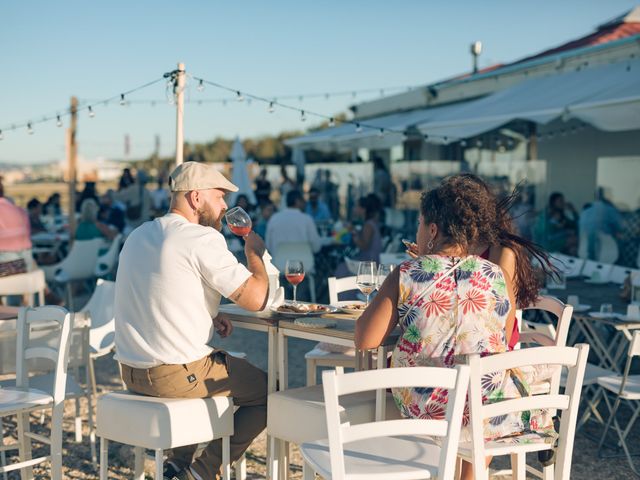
point(297, 415)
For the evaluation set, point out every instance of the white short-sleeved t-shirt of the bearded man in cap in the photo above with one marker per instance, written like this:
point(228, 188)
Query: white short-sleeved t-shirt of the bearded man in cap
point(171, 275)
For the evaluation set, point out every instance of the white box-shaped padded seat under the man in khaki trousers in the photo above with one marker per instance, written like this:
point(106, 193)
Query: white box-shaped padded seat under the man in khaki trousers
point(152, 422)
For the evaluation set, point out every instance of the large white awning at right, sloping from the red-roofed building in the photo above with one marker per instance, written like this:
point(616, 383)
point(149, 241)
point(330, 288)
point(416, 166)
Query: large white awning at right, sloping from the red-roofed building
point(607, 97)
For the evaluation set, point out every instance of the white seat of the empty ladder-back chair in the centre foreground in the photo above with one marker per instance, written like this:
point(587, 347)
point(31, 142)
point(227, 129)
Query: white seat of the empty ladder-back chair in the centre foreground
point(397, 457)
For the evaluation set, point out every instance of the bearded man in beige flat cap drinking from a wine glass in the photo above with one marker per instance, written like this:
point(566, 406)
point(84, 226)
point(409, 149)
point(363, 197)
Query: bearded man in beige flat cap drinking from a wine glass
point(171, 276)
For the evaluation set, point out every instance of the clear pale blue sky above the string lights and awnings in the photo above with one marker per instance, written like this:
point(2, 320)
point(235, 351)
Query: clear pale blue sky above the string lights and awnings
point(96, 50)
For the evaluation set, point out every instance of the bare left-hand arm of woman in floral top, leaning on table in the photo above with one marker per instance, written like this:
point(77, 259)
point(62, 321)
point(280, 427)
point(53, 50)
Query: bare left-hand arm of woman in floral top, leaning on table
point(380, 318)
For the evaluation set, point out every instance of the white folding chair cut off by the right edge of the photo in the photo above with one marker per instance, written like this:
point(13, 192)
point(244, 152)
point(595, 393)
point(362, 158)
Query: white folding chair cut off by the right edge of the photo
point(625, 387)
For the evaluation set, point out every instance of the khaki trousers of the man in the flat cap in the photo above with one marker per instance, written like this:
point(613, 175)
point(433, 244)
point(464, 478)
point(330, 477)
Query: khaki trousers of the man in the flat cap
point(217, 374)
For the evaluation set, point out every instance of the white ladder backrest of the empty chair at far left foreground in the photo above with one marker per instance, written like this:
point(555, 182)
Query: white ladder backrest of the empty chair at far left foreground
point(29, 319)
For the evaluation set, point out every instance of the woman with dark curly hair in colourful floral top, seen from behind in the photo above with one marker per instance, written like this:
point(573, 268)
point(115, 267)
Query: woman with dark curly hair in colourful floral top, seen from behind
point(450, 301)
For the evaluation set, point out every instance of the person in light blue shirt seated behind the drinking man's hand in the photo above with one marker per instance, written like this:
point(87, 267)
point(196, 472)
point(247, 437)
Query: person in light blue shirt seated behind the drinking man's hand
point(292, 225)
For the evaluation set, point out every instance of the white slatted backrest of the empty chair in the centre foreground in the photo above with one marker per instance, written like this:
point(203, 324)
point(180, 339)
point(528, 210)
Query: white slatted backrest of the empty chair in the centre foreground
point(335, 385)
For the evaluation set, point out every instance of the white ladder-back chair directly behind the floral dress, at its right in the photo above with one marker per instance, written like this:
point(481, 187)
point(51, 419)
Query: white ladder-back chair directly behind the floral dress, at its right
point(478, 449)
